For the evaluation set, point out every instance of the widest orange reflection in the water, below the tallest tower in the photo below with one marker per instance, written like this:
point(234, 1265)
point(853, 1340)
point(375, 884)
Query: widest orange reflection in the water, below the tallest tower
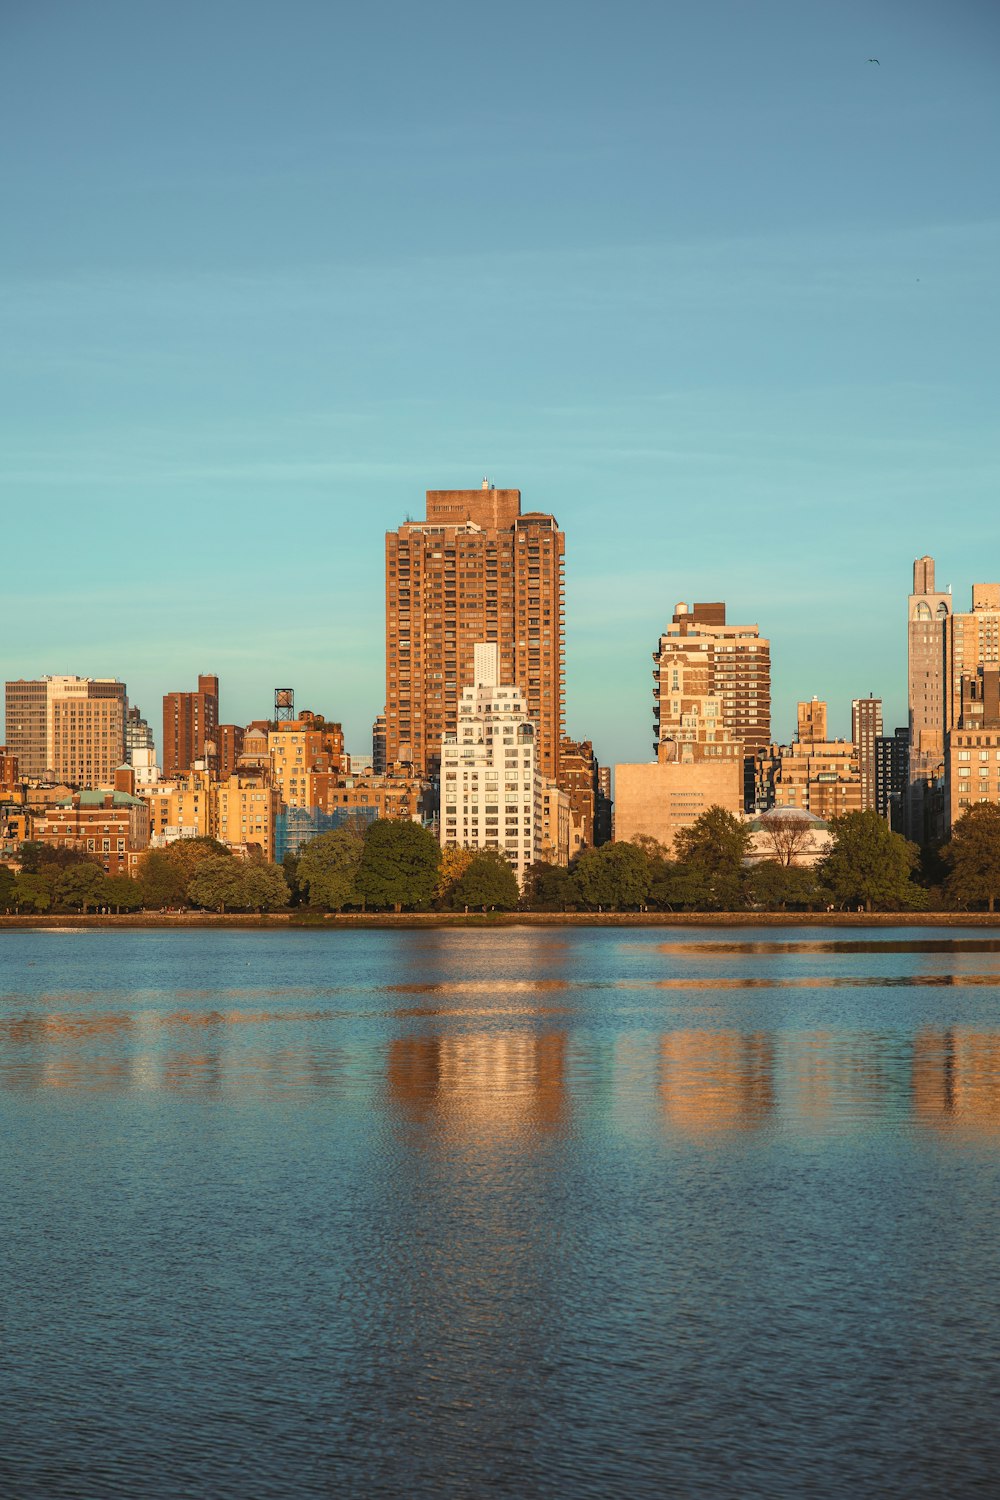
point(481, 1082)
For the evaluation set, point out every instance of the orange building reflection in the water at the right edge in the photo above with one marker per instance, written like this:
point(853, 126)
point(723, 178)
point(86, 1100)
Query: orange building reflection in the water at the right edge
point(957, 1079)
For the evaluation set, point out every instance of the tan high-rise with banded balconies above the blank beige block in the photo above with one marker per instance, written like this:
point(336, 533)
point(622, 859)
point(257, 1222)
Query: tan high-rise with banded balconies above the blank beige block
point(732, 664)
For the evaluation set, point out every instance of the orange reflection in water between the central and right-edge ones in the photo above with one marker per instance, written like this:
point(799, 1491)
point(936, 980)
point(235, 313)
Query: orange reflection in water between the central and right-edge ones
point(717, 1081)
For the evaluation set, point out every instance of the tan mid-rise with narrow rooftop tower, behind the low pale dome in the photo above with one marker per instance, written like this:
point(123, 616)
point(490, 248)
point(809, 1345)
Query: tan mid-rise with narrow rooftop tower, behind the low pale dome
point(812, 775)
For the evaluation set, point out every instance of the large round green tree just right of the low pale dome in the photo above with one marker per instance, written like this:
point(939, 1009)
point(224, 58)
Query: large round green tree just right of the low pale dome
point(870, 865)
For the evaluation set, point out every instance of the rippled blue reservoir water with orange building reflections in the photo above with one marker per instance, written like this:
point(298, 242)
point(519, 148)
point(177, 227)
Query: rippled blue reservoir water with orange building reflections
point(525, 1213)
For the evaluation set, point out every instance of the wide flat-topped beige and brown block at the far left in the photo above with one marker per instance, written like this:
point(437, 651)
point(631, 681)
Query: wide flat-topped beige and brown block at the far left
point(68, 728)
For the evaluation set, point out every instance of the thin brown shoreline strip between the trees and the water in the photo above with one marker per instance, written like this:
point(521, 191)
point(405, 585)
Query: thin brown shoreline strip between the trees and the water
point(278, 922)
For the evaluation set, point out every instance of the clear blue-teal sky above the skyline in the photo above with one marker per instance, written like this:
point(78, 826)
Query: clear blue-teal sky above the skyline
point(701, 280)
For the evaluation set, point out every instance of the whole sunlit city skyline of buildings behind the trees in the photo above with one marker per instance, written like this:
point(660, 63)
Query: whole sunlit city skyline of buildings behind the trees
point(472, 737)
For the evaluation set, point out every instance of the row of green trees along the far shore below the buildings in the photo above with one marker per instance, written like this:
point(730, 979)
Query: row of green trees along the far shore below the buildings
point(400, 866)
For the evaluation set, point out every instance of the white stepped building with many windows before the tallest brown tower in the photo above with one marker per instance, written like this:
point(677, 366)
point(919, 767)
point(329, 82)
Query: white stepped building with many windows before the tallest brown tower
point(491, 784)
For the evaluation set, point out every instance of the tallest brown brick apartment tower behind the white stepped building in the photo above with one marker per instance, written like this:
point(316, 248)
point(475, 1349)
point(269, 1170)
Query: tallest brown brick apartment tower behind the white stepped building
point(476, 571)
